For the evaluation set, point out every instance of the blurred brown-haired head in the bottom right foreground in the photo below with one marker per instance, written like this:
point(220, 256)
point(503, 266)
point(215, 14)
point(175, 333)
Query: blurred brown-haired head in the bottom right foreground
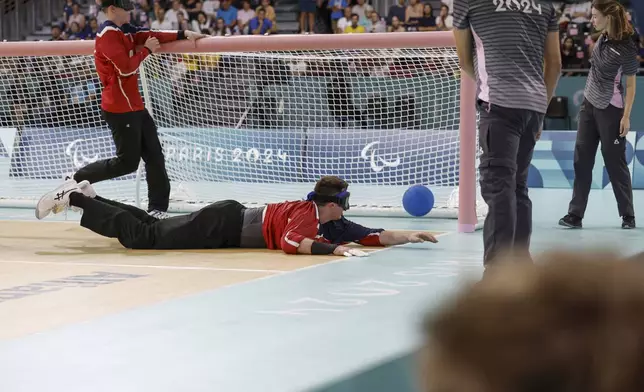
point(573, 323)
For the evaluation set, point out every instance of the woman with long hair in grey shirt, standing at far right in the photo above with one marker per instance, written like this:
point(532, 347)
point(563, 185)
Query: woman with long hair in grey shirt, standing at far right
point(605, 113)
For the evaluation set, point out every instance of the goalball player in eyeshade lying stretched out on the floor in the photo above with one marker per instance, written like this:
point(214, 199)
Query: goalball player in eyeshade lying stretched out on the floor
point(313, 226)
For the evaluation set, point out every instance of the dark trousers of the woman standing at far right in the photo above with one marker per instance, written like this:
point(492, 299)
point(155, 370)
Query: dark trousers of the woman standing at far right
point(603, 125)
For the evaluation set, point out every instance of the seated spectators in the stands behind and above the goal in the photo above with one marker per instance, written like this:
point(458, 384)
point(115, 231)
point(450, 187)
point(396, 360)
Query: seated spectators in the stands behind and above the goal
point(234, 17)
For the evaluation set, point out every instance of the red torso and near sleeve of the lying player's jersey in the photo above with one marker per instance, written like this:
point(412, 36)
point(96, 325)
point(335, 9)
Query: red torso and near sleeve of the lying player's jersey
point(287, 224)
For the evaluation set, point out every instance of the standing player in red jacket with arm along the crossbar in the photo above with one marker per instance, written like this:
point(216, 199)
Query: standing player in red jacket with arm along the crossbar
point(133, 130)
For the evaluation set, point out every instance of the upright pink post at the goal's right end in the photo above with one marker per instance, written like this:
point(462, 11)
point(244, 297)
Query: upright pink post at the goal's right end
point(467, 182)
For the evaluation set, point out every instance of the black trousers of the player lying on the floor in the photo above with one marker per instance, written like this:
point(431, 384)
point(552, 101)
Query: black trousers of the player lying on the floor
point(215, 226)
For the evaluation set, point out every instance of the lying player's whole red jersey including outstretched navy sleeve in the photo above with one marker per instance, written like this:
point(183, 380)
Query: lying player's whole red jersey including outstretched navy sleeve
point(287, 224)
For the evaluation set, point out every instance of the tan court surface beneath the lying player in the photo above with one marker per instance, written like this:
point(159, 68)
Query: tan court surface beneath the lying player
point(58, 273)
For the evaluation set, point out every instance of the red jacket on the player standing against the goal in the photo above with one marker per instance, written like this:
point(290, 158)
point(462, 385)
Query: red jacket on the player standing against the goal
point(117, 63)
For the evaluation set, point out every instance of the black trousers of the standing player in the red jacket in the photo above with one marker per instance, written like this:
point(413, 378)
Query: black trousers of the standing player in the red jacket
point(135, 137)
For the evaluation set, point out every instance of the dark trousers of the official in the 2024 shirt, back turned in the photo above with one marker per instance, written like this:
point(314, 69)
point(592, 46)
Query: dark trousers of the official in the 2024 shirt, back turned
point(507, 138)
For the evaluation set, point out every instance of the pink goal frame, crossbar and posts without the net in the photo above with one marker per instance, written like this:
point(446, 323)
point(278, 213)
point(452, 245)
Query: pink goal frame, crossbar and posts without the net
point(467, 214)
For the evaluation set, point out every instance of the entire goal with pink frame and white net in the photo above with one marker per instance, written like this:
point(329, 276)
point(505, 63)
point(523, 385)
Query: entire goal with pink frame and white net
point(257, 119)
